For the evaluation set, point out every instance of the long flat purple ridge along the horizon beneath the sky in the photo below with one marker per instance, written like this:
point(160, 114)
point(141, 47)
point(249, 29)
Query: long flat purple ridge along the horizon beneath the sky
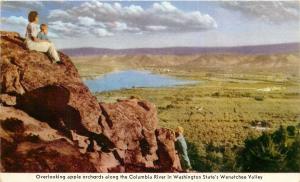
point(257, 49)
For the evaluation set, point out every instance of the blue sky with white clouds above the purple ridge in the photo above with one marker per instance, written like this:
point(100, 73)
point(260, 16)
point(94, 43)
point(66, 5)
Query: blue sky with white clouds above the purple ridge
point(131, 24)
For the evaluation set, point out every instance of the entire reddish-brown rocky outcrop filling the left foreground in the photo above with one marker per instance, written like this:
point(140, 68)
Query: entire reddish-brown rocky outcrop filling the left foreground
point(50, 121)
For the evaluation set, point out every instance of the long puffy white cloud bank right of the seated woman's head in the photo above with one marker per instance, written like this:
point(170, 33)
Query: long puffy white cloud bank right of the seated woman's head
point(114, 18)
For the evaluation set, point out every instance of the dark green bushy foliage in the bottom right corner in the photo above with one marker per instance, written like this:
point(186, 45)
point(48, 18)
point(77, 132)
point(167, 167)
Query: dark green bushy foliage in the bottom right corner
point(270, 153)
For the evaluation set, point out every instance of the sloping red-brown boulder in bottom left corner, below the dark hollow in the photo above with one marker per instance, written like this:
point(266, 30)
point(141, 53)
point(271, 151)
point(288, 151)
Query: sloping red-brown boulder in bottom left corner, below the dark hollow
point(28, 145)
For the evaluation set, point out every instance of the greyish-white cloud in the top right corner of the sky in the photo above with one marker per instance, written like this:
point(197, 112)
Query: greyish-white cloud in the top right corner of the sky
point(268, 11)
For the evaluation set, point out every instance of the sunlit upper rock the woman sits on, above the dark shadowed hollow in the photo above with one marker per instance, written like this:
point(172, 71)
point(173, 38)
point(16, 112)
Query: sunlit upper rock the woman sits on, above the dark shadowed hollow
point(24, 71)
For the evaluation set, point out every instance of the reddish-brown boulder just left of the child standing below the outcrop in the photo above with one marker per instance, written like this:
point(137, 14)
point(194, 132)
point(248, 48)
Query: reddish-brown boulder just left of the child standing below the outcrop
point(130, 125)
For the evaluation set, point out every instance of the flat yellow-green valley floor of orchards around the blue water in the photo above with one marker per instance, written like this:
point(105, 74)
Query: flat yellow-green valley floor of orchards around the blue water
point(224, 109)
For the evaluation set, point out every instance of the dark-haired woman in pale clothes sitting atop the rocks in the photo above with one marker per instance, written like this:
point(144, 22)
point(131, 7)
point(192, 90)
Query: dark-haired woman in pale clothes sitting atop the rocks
point(36, 44)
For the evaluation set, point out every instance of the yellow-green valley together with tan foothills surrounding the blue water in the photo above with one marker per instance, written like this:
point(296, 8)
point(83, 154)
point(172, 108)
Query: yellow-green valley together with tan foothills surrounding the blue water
point(222, 108)
